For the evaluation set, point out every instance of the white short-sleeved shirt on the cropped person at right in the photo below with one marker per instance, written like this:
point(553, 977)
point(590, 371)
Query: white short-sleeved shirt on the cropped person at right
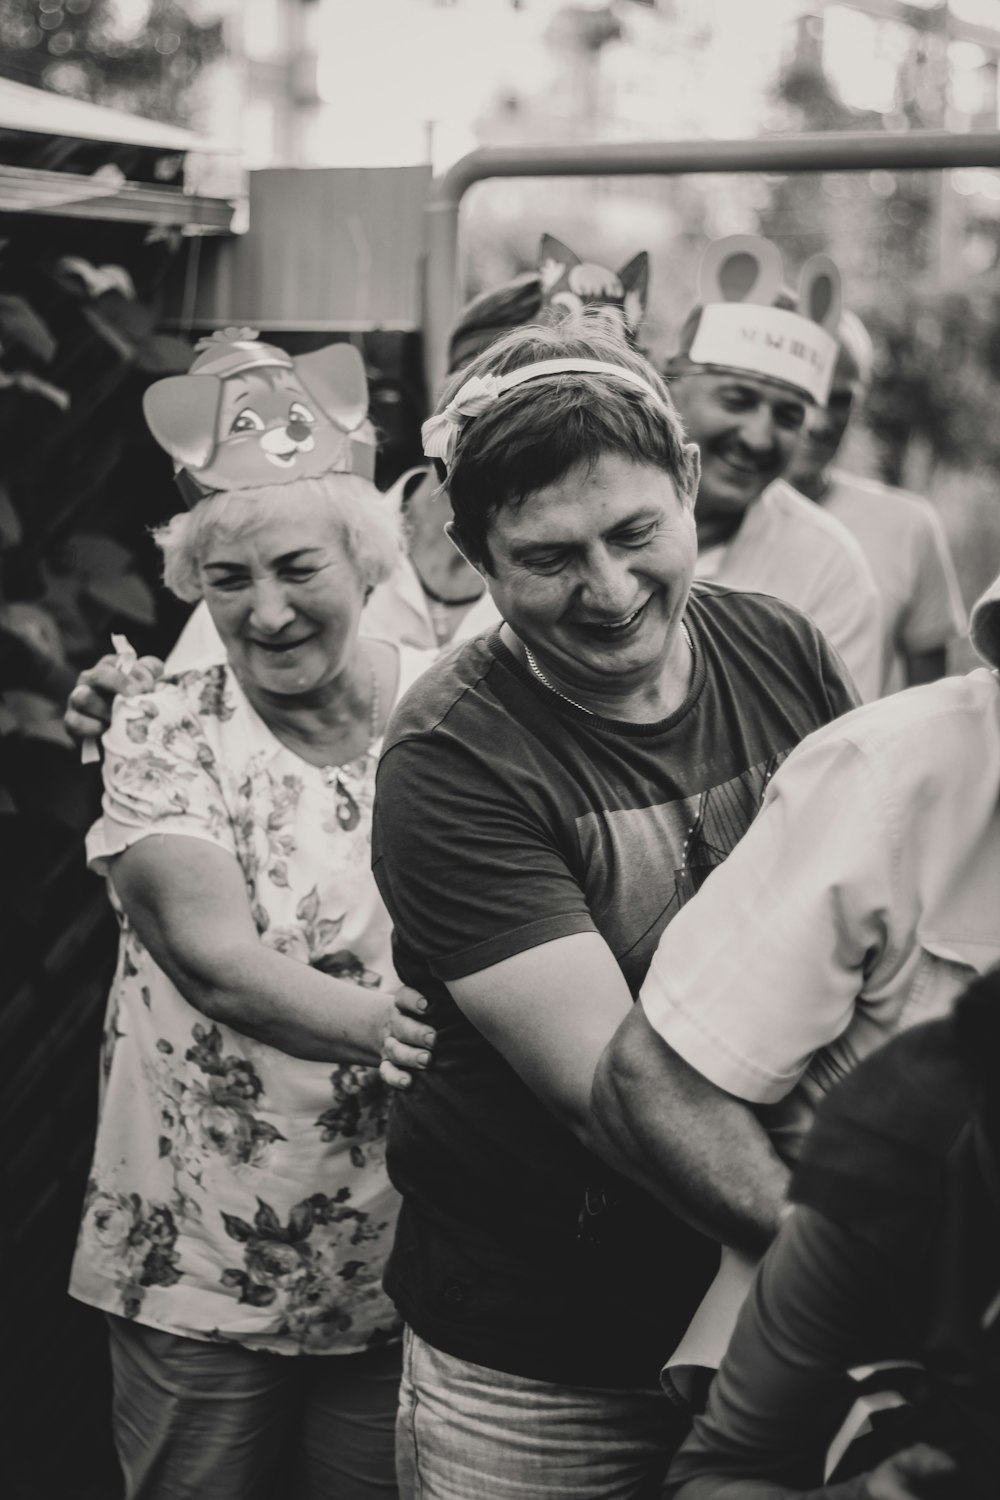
point(863, 899)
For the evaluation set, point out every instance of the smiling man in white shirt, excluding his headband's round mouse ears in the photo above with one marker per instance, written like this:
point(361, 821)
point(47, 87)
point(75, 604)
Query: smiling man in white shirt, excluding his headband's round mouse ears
point(746, 412)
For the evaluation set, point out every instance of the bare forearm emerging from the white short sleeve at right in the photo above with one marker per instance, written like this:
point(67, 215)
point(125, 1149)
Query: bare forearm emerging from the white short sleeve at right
point(698, 1148)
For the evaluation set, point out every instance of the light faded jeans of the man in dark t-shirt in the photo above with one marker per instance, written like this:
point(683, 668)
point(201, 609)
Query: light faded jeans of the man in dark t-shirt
point(469, 1433)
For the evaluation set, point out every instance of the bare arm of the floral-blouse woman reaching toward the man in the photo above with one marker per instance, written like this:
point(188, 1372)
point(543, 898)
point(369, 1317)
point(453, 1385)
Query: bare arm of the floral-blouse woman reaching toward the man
point(188, 904)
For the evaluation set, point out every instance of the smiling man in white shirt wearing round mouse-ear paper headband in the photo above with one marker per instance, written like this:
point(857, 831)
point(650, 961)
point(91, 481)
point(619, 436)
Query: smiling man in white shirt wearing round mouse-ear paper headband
point(753, 359)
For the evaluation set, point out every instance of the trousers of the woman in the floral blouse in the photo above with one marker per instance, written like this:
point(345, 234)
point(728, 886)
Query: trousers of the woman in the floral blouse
point(200, 1421)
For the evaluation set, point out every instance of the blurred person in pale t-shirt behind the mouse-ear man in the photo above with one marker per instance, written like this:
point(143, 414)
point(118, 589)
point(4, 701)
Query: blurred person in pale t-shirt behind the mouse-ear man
point(900, 535)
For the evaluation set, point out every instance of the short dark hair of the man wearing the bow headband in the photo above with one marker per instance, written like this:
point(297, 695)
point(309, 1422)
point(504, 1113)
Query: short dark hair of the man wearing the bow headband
point(534, 434)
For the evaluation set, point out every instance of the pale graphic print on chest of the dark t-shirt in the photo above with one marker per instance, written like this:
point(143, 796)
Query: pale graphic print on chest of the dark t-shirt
point(656, 859)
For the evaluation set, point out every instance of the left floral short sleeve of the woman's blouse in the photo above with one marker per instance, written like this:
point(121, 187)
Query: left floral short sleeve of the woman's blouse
point(160, 775)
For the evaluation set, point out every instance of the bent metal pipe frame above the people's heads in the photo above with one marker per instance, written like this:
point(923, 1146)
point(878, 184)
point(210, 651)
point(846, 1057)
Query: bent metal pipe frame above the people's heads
point(834, 152)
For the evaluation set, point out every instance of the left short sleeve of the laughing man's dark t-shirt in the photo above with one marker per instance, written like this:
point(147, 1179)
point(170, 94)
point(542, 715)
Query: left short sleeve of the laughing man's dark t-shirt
point(479, 877)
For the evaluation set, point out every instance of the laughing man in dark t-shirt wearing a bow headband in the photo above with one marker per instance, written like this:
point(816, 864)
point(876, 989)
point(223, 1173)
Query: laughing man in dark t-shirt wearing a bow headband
point(548, 800)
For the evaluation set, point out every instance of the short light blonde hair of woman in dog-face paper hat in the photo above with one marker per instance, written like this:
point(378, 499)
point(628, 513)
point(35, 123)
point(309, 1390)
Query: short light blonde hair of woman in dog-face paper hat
point(370, 526)
